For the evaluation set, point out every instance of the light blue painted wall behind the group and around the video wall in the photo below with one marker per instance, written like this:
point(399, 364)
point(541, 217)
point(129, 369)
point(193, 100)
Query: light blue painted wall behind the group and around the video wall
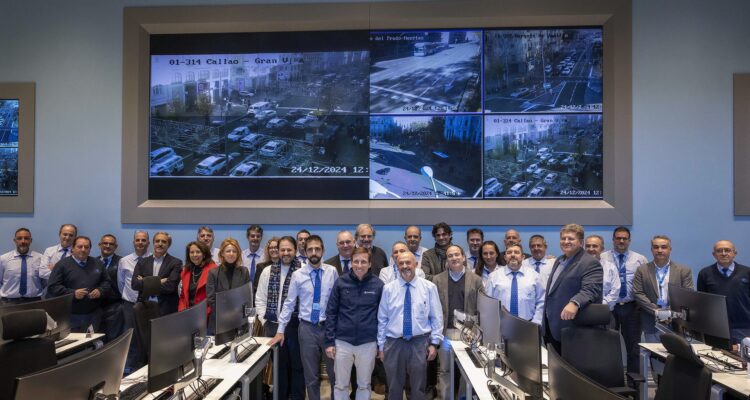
point(684, 55)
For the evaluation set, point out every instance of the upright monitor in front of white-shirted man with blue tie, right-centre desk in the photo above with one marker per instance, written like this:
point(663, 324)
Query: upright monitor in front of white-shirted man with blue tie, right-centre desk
point(522, 352)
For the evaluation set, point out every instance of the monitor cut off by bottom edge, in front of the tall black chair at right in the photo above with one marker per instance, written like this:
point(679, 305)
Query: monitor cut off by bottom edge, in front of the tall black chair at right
point(565, 382)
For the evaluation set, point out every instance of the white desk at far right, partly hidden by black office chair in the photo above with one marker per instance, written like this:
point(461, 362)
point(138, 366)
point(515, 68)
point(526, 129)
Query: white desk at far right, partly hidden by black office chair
point(738, 384)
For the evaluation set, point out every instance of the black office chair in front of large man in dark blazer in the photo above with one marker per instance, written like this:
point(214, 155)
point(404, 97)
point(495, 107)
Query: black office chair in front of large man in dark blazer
point(594, 349)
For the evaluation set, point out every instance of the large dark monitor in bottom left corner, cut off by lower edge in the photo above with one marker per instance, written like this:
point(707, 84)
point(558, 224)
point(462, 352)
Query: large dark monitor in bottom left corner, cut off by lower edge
point(99, 372)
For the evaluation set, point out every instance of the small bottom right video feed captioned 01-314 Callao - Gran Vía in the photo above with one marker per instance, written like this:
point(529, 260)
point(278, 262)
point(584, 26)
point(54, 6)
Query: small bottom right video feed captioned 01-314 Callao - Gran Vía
point(549, 156)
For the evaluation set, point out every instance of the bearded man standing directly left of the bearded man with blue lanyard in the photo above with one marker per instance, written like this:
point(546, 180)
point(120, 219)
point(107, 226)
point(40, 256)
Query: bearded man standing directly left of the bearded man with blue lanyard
point(273, 290)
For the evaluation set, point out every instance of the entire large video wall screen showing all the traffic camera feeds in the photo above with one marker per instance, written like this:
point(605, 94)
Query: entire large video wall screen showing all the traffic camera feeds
point(359, 115)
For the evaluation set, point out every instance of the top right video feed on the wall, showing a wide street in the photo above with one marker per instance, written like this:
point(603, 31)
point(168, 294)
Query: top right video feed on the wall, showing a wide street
point(548, 70)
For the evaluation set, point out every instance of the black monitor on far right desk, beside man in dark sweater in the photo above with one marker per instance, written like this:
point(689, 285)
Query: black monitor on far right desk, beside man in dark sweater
point(705, 314)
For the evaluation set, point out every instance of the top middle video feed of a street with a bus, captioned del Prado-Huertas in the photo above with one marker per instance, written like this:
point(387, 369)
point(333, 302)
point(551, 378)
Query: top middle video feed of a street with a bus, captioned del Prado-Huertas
point(425, 72)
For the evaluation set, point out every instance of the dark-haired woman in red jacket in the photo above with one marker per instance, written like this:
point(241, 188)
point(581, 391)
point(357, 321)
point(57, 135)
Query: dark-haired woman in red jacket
point(194, 275)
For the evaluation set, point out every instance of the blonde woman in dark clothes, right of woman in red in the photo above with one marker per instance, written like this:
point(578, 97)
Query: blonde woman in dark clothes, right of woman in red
point(228, 275)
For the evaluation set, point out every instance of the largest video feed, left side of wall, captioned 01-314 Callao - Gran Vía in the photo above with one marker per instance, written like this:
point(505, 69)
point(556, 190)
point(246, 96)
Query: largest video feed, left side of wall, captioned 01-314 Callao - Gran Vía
point(260, 115)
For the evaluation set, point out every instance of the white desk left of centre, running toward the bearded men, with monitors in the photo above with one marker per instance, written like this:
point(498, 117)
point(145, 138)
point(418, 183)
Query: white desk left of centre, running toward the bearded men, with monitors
point(230, 373)
